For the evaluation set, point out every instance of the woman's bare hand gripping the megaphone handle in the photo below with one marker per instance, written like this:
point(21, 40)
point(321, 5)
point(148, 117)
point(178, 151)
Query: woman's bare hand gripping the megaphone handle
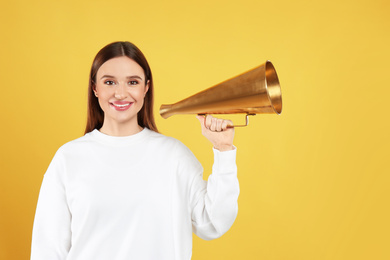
point(217, 132)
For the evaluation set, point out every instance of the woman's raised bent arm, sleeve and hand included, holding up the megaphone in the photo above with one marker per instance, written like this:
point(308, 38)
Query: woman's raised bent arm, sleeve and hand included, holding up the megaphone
point(214, 203)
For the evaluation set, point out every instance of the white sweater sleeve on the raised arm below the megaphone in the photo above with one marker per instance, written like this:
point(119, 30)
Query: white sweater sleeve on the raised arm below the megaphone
point(214, 203)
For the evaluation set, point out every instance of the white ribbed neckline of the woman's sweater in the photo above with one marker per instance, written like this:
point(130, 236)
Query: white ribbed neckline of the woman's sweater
point(119, 140)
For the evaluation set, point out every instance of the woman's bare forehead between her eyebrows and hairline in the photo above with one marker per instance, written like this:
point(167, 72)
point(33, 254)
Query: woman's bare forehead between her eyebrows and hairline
point(120, 67)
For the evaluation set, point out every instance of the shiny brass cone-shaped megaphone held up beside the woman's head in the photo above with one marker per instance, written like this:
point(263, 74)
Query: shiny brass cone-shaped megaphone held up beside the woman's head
point(254, 92)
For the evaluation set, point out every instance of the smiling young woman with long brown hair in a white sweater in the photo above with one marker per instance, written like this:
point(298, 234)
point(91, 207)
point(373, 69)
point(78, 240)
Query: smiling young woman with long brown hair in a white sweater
point(123, 191)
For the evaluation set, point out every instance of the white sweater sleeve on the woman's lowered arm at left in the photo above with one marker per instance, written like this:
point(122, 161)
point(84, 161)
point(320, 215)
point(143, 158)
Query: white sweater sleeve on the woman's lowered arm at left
point(51, 238)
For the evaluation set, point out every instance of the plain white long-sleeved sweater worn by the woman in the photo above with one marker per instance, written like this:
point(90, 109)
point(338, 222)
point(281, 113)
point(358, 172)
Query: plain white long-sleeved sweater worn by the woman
point(135, 197)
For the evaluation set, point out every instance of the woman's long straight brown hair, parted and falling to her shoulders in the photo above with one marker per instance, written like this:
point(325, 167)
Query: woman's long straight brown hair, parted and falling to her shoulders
point(95, 115)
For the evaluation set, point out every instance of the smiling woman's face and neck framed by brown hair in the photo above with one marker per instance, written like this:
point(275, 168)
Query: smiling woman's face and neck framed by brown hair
point(121, 88)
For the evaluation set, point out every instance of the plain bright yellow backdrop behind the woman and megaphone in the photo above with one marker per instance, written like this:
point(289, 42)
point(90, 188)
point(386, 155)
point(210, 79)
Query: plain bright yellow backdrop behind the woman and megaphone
point(314, 180)
